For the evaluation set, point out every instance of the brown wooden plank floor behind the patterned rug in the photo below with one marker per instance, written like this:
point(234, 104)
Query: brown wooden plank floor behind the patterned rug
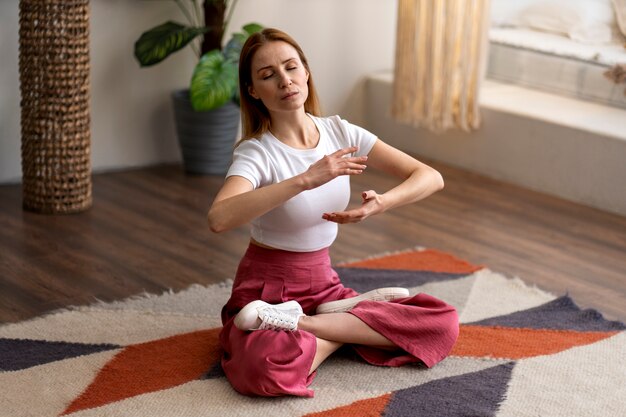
point(147, 232)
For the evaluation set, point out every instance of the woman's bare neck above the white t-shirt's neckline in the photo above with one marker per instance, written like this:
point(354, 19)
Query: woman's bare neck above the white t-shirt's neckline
point(296, 130)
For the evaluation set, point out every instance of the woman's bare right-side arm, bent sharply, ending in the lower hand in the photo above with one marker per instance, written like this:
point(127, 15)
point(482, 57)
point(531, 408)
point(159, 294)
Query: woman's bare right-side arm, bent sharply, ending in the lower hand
point(418, 182)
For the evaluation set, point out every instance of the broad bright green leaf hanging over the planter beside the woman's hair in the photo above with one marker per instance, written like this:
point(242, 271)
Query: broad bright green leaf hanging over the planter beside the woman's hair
point(214, 81)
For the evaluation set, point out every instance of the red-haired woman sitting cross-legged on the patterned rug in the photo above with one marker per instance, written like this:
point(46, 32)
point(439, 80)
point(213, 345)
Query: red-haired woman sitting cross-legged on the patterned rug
point(290, 180)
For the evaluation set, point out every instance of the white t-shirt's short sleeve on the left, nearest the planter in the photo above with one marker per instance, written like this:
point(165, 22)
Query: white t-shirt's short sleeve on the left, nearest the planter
point(251, 162)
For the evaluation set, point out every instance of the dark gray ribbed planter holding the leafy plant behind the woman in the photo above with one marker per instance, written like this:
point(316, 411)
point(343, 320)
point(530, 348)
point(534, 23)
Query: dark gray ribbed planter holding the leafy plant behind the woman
point(206, 138)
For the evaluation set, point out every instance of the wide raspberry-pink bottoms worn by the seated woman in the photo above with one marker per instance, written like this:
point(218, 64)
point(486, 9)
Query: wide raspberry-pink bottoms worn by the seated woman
point(275, 363)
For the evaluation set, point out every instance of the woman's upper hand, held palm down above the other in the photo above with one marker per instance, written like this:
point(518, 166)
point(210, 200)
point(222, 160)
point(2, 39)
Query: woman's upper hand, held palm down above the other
point(333, 165)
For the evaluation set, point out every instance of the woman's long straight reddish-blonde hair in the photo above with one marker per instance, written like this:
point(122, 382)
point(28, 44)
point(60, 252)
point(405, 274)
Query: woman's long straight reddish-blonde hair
point(255, 118)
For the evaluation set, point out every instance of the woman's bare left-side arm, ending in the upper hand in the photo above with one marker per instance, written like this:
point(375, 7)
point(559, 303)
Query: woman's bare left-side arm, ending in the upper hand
point(237, 202)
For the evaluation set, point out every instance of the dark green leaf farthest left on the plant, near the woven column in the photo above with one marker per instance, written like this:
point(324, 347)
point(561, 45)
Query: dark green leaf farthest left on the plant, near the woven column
point(156, 44)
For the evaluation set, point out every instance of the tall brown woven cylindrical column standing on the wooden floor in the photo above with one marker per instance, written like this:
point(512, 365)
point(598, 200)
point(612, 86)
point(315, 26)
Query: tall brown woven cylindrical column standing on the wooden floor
point(55, 119)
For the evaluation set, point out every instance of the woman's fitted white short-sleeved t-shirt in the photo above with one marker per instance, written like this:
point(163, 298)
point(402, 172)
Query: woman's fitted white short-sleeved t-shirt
point(297, 225)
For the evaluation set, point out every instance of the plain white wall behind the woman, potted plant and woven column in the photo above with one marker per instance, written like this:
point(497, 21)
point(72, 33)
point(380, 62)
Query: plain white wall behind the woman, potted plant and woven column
point(132, 121)
